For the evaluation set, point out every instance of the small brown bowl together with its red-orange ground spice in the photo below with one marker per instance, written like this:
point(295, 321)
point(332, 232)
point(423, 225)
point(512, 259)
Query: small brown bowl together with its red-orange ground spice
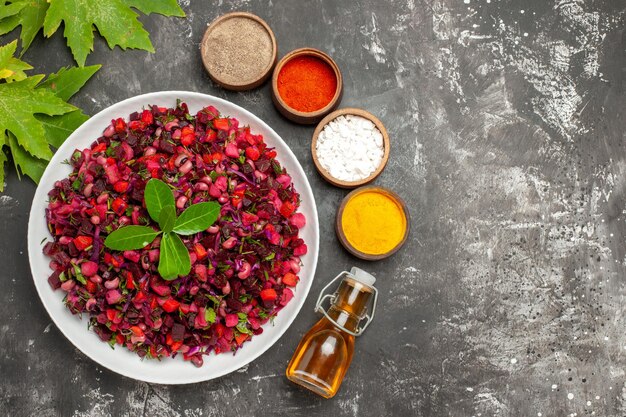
point(306, 85)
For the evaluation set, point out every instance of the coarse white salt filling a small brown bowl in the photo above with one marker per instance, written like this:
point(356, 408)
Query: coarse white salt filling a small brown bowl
point(350, 148)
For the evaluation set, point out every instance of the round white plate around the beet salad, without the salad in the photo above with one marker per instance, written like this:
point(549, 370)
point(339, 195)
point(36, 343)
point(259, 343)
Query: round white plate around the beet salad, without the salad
point(121, 360)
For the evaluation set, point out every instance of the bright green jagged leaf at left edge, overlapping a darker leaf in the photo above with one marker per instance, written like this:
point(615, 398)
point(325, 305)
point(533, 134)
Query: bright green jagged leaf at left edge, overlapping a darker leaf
point(19, 102)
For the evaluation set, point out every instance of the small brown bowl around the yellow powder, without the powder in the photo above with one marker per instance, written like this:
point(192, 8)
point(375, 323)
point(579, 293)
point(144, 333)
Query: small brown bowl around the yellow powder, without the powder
point(342, 236)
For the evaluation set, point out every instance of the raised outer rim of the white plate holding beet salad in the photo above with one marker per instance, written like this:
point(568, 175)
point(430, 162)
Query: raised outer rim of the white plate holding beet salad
point(49, 175)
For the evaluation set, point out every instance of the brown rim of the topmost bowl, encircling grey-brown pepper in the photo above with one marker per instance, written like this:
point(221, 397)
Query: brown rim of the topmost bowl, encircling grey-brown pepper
point(264, 75)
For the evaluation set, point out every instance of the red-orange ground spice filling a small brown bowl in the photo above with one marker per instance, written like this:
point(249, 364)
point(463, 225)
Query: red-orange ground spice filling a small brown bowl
point(307, 83)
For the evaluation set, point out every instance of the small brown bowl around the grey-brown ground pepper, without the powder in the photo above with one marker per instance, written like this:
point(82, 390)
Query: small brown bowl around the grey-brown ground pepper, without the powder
point(242, 85)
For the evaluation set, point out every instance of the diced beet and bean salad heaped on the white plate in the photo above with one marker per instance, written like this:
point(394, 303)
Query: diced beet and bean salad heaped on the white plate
point(243, 267)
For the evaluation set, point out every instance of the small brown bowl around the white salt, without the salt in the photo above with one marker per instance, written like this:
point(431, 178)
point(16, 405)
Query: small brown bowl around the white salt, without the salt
point(356, 112)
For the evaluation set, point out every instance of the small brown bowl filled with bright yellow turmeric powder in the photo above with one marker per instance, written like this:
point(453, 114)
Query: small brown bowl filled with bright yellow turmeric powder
point(372, 223)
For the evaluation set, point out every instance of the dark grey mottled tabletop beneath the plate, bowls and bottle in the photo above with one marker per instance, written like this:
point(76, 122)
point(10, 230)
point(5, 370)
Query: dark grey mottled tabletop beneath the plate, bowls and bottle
point(507, 122)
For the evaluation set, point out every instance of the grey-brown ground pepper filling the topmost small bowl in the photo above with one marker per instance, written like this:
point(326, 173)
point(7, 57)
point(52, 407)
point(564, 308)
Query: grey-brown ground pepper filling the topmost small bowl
point(238, 50)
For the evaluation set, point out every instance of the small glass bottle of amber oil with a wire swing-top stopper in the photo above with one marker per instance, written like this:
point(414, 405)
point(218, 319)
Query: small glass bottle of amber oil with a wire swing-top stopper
point(324, 354)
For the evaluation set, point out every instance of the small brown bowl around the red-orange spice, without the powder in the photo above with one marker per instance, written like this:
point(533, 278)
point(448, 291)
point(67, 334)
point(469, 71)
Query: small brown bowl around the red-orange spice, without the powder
point(299, 116)
